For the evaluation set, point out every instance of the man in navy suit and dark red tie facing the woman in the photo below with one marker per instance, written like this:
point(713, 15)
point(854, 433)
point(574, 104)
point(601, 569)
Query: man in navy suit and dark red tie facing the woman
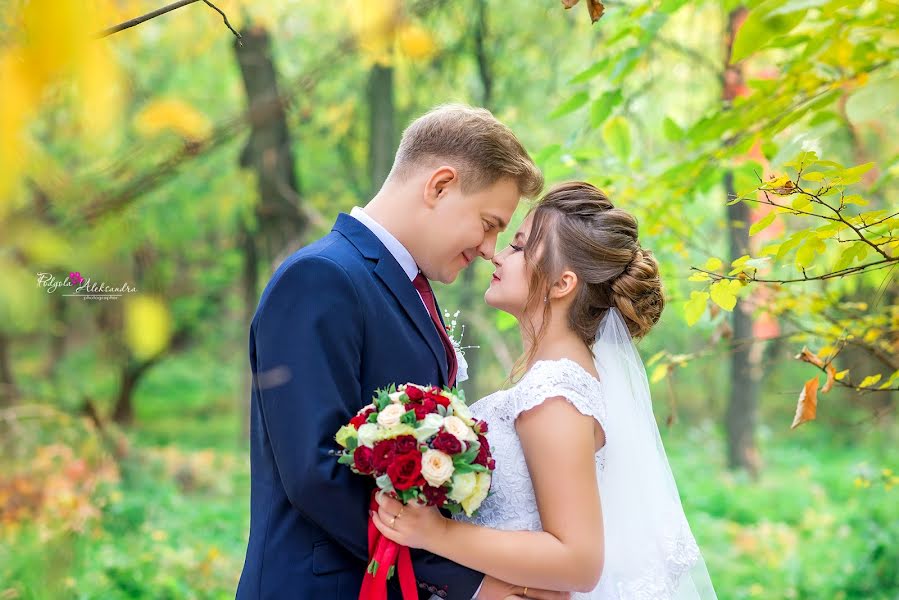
point(354, 312)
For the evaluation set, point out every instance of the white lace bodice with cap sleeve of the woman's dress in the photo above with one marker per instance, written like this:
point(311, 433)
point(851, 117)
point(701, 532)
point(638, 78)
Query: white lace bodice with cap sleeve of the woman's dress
point(512, 505)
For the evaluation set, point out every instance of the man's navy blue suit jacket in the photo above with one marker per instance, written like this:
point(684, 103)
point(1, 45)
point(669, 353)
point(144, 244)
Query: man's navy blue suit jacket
point(338, 320)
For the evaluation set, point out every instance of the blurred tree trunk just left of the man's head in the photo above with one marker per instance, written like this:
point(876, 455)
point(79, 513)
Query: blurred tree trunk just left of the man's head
point(382, 141)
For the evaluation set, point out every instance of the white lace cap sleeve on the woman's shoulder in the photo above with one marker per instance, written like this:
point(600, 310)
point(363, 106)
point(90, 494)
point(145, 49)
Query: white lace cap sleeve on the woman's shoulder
point(565, 378)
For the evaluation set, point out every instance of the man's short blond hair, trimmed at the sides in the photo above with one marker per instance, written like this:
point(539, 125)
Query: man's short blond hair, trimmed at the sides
point(482, 149)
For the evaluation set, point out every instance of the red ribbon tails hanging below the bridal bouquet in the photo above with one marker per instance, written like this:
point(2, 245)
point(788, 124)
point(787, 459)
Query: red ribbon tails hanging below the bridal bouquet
point(384, 553)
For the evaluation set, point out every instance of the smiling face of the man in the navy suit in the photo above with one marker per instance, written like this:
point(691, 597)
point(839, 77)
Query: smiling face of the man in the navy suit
point(464, 226)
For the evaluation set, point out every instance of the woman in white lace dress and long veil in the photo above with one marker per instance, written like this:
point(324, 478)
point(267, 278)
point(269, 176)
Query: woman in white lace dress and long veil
point(582, 499)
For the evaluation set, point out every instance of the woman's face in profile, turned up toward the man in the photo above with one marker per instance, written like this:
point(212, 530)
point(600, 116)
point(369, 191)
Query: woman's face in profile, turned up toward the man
point(509, 287)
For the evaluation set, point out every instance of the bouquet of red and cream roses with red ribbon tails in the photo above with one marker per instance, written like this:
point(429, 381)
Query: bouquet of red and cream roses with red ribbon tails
point(419, 444)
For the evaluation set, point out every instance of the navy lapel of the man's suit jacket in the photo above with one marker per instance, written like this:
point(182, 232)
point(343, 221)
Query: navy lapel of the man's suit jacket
point(397, 283)
